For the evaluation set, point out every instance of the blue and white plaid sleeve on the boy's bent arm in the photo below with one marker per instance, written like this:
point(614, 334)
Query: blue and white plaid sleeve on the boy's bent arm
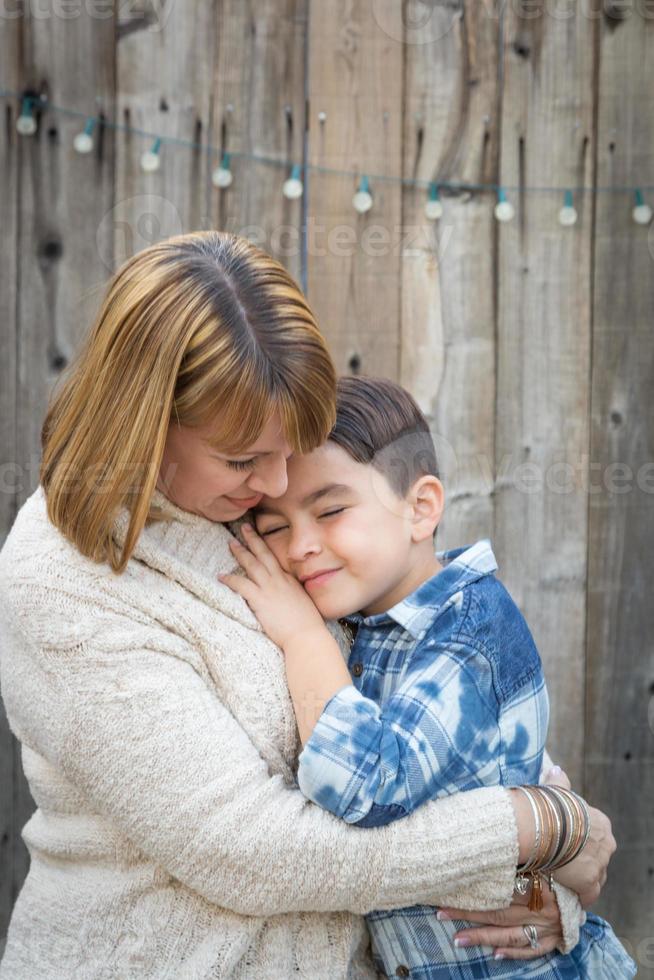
point(436, 735)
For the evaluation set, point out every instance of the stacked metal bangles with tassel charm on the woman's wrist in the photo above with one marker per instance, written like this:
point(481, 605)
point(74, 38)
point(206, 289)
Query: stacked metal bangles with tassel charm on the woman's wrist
point(562, 828)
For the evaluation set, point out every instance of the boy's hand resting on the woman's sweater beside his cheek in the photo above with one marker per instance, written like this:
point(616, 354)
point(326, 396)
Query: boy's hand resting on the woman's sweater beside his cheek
point(277, 599)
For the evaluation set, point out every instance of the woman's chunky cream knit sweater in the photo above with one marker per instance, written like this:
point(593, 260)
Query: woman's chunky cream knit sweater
point(159, 742)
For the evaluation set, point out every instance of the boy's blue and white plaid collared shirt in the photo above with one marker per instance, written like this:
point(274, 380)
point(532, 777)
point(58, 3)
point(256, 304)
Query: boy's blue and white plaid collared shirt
point(448, 695)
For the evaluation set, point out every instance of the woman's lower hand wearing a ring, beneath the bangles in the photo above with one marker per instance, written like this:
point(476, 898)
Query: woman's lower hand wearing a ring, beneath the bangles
point(503, 929)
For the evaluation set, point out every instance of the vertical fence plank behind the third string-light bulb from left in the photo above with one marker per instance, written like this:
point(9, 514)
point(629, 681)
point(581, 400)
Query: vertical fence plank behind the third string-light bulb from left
point(164, 77)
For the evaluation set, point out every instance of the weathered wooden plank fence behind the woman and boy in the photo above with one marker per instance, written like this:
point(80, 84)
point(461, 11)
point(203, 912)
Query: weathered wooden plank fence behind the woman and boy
point(529, 344)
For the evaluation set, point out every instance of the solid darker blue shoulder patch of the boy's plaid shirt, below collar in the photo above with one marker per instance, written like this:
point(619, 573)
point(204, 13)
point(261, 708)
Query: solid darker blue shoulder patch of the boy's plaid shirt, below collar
point(487, 619)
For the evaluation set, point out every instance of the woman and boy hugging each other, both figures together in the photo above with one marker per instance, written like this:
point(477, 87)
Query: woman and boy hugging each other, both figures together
point(306, 743)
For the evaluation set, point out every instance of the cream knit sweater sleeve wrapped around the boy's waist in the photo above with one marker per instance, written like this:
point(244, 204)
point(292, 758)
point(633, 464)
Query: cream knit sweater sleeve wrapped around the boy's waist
point(144, 737)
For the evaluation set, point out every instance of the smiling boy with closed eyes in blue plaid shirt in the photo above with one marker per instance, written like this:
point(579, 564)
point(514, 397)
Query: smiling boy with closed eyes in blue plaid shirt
point(444, 690)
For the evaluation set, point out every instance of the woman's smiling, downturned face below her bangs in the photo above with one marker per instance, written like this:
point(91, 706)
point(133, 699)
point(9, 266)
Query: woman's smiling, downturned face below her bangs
point(220, 486)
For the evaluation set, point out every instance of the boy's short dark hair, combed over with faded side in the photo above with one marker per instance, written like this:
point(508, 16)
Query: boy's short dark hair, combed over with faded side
point(378, 422)
